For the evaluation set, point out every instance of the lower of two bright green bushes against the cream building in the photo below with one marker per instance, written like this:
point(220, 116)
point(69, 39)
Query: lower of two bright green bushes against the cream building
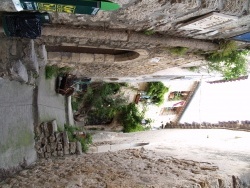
point(131, 118)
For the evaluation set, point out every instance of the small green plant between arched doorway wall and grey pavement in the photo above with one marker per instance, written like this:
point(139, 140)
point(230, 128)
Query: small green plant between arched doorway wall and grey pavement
point(53, 71)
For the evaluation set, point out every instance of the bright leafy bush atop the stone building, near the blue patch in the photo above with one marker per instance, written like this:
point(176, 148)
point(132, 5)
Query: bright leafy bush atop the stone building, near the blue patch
point(232, 63)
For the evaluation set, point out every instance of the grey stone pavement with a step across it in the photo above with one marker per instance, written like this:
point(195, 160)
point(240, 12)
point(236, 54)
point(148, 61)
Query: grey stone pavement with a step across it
point(22, 108)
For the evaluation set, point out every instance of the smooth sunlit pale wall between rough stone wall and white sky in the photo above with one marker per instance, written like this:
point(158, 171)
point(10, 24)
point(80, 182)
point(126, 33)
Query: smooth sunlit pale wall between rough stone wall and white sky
point(226, 149)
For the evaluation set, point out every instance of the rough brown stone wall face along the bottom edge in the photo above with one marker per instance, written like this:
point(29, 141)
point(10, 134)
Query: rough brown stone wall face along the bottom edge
point(128, 168)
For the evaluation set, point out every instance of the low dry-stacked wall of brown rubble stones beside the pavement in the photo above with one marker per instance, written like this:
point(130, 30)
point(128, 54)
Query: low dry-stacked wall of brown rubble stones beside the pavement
point(52, 143)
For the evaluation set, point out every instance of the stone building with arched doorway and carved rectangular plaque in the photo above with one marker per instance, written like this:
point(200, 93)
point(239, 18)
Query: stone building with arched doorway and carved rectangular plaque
point(115, 45)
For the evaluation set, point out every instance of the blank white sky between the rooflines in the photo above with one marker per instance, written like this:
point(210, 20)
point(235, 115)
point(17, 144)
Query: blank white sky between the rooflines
point(219, 102)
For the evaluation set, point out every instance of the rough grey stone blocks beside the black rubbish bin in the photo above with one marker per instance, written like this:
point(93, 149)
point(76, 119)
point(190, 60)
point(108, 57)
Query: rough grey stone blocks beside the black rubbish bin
point(20, 59)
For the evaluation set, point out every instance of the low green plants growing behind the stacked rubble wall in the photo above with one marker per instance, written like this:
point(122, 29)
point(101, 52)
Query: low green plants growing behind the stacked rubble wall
point(73, 137)
